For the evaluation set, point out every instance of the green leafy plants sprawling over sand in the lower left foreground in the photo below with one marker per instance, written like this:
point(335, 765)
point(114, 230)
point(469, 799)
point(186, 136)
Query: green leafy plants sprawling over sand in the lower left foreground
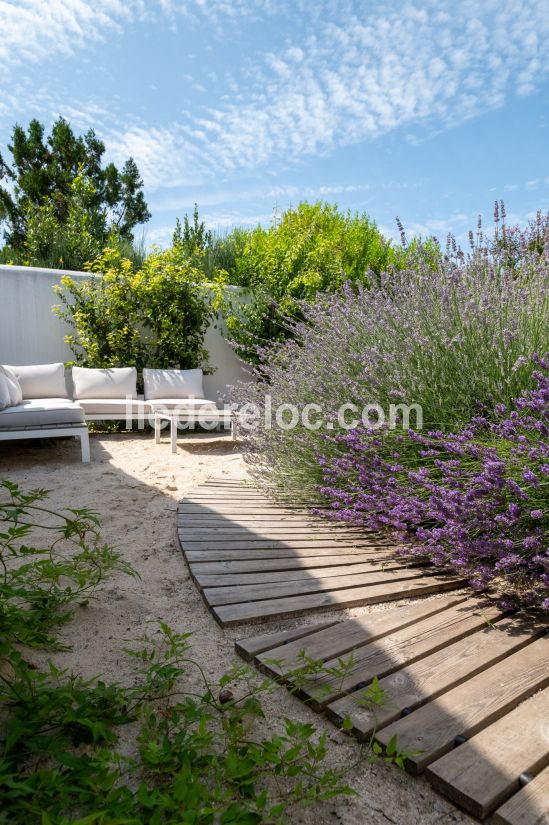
point(193, 750)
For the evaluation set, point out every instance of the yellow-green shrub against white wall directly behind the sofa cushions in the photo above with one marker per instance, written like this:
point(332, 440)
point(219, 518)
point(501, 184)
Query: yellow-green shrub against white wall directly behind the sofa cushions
point(155, 316)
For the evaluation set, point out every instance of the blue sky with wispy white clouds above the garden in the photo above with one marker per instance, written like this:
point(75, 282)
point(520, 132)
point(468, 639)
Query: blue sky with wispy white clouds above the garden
point(426, 110)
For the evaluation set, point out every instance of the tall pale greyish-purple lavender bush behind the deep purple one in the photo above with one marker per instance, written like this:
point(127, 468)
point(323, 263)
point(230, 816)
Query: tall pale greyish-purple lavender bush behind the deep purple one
point(451, 332)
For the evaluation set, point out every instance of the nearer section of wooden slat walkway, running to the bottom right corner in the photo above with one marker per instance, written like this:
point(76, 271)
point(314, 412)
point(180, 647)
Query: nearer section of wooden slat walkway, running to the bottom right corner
point(466, 691)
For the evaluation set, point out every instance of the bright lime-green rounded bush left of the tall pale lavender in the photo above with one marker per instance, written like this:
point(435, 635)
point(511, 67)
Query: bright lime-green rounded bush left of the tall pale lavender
point(309, 249)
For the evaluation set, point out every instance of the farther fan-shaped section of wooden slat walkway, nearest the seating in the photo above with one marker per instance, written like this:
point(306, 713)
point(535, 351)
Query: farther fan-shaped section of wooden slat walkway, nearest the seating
point(255, 560)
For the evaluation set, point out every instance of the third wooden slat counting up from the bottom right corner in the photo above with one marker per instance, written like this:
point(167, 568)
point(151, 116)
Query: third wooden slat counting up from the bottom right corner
point(477, 703)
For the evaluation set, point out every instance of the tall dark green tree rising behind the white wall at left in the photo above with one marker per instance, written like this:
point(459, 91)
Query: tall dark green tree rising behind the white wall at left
point(43, 171)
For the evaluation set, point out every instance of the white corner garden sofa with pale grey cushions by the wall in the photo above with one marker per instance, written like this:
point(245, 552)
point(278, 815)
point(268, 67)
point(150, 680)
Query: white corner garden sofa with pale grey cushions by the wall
point(35, 401)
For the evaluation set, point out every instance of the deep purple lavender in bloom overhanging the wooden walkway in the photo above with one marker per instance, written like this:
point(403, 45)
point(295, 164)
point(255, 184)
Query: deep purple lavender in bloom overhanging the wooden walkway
point(477, 501)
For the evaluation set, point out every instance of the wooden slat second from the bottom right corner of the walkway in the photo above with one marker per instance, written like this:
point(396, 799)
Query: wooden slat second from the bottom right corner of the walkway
point(482, 773)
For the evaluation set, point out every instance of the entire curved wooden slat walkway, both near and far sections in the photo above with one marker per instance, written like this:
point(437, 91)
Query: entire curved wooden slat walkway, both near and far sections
point(466, 686)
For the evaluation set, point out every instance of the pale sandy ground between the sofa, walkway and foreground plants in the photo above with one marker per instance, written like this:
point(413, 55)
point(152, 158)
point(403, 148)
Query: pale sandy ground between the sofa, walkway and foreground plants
point(135, 485)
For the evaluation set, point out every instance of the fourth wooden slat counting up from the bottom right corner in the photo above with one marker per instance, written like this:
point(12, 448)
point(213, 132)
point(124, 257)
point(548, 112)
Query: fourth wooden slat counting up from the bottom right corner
point(418, 683)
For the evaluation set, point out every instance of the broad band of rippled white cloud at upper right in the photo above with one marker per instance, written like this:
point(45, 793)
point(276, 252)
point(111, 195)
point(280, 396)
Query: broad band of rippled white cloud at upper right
point(377, 71)
